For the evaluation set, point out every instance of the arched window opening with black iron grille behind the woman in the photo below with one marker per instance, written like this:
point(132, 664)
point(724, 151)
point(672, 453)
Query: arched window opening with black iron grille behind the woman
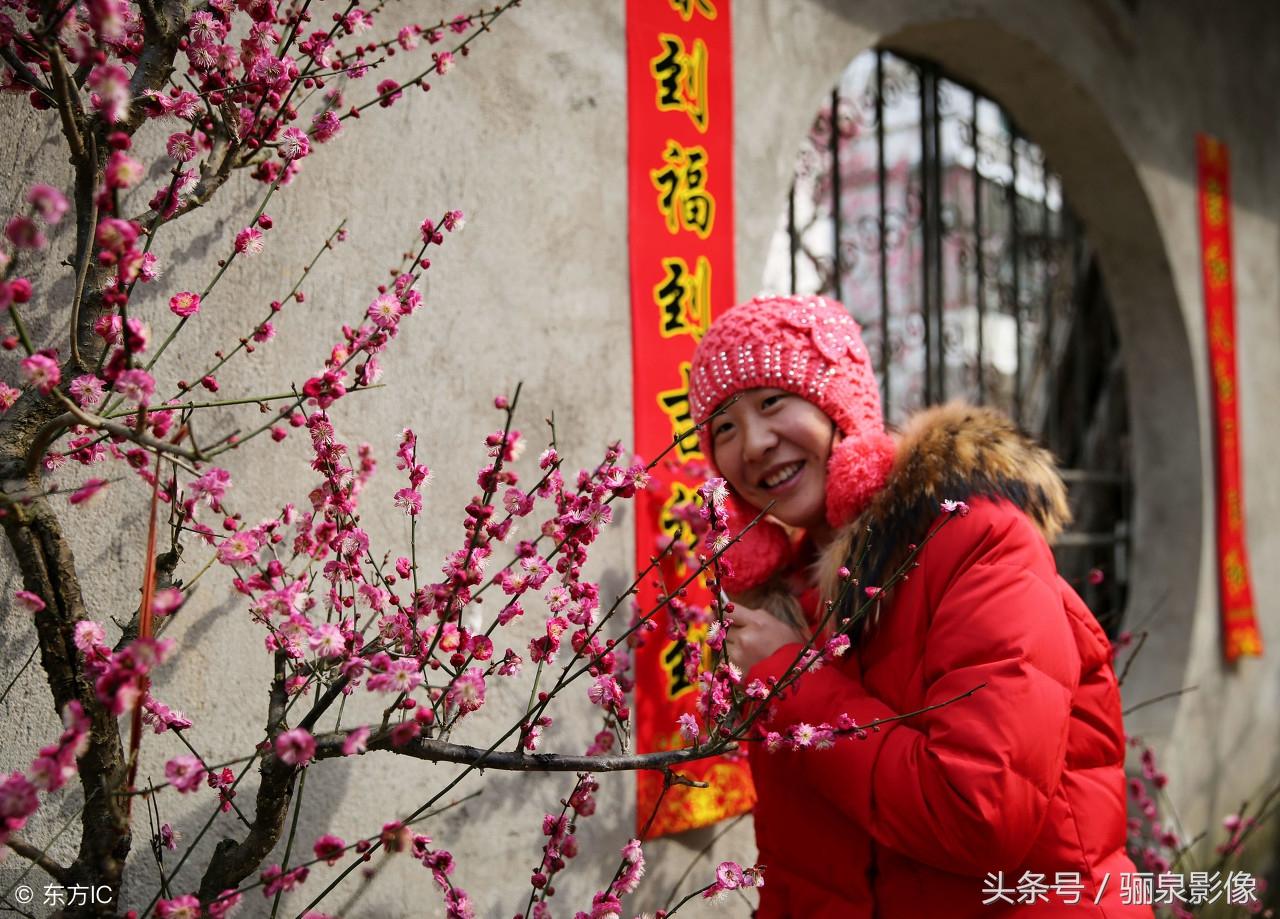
point(920, 205)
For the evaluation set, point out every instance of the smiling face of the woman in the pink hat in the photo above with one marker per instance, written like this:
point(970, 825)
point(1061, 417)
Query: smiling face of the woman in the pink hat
point(774, 446)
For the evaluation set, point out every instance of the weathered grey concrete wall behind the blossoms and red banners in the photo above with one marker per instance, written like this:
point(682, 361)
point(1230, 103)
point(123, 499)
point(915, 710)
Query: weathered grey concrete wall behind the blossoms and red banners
point(529, 139)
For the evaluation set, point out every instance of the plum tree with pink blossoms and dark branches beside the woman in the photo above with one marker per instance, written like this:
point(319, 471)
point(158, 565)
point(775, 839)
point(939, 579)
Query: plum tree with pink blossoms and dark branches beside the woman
point(263, 86)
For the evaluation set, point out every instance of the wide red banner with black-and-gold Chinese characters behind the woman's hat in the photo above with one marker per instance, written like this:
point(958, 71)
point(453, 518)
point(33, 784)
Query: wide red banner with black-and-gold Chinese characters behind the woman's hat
point(680, 177)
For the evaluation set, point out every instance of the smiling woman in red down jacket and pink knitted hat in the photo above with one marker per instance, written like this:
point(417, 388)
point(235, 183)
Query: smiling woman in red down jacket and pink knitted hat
point(1004, 802)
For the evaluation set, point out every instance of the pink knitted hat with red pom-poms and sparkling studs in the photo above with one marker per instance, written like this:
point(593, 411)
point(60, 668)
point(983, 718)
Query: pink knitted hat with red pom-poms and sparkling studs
point(812, 348)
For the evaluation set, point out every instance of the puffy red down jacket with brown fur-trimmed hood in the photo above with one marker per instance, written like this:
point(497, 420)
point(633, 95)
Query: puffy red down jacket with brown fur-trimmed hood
point(1017, 785)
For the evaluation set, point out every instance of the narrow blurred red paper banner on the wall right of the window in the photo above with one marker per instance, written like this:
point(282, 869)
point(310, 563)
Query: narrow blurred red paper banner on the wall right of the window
point(1241, 635)
